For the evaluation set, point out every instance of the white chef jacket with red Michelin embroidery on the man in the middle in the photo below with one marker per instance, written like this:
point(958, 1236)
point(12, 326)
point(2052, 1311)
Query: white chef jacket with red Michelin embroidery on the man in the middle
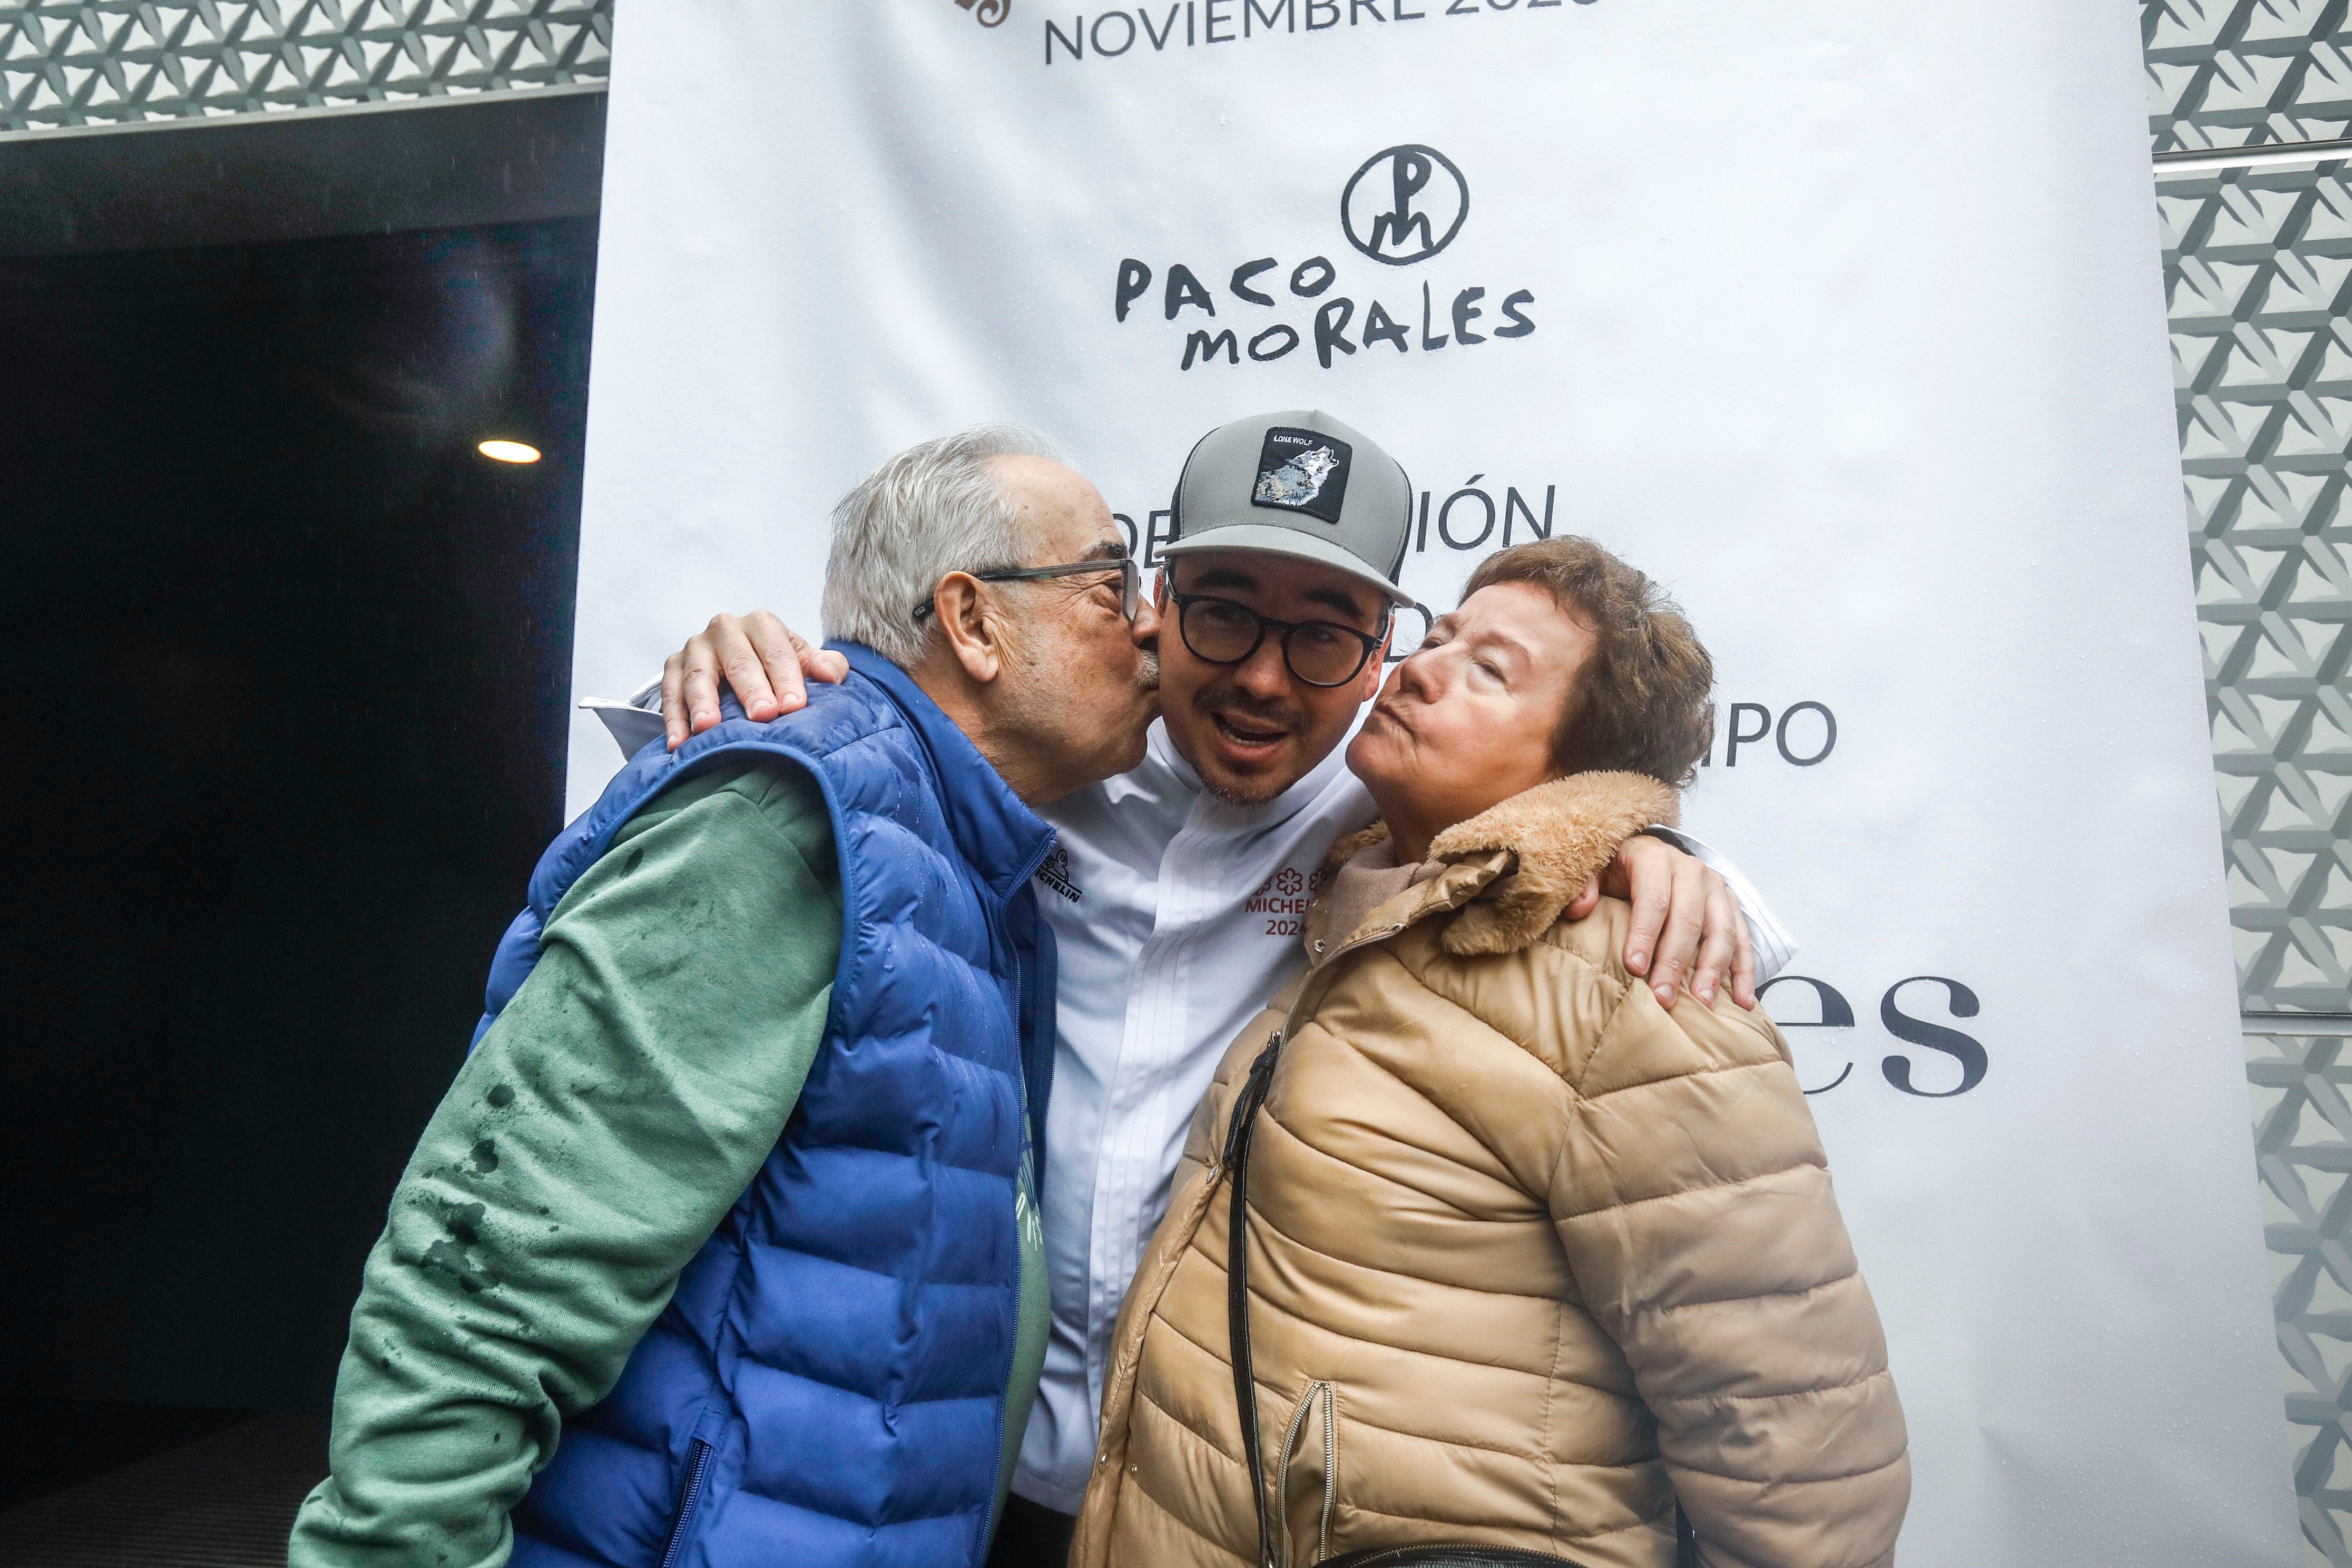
point(1177, 918)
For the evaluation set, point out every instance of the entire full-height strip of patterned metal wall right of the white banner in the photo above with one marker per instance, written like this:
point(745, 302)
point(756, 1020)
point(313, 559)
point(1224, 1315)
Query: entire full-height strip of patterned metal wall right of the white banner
point(2259, 267)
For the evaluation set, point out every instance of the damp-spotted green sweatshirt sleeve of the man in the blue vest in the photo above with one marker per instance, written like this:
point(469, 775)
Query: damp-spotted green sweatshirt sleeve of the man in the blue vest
point(587, 1151)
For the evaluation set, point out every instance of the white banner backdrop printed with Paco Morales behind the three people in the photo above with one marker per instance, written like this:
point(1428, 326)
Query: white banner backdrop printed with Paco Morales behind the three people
point(1843, 321)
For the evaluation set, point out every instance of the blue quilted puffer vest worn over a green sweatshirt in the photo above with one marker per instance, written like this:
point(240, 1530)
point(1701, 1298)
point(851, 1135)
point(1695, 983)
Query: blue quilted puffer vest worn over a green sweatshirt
point(829, 1383)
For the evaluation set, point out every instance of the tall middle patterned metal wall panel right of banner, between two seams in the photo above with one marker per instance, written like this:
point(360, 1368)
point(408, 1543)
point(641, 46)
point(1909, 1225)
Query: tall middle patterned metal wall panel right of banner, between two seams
point(2261, 309)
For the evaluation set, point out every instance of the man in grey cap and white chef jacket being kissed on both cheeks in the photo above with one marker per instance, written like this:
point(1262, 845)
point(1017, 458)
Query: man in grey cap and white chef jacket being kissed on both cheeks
point(1177, 890)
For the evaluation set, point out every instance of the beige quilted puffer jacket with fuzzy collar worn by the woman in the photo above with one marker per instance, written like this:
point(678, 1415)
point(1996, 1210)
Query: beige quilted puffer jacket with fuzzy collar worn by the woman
point(1530, 1257)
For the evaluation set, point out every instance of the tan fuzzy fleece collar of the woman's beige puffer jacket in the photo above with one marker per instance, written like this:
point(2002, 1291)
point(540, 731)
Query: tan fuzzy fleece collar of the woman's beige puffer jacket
point(1516, 866)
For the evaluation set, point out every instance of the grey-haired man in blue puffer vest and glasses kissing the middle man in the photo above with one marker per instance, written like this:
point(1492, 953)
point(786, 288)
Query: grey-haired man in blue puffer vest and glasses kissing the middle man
point(723, 1247)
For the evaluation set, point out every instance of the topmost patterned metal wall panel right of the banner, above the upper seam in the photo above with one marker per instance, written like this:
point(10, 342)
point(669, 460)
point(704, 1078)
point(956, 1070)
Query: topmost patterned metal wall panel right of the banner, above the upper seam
point(2226, 74)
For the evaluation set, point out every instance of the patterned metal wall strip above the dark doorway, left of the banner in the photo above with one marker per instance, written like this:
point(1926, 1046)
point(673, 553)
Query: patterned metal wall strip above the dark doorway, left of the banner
point(107, 62)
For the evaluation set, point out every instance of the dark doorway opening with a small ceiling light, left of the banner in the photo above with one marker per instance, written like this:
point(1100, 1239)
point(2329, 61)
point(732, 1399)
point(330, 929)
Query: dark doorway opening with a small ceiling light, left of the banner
point(288, 669)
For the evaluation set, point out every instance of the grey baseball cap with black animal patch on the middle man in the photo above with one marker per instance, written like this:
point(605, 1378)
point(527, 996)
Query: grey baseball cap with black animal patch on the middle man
point(1297, 485)
